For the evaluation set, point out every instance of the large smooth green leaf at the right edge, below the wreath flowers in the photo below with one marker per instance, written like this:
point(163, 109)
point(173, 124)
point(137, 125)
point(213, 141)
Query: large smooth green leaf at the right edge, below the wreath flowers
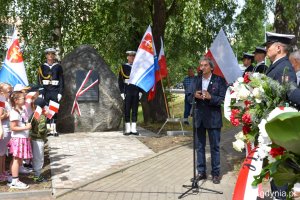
point(284, 130)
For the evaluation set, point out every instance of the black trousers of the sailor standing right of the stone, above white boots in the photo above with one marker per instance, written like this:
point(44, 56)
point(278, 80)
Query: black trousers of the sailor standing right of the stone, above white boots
point(131, 106)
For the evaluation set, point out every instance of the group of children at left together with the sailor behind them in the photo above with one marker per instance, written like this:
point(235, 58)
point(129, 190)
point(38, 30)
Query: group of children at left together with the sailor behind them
point(23, 134)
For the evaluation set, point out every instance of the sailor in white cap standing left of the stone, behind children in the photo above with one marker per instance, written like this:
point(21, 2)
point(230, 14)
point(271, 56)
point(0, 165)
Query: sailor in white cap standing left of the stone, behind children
point(50, 76)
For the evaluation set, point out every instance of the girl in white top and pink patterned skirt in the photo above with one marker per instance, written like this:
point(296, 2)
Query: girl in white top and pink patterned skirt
point(20, 146)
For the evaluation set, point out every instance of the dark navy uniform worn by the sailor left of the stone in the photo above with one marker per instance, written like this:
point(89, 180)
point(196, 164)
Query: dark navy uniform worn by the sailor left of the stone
point(52, 80)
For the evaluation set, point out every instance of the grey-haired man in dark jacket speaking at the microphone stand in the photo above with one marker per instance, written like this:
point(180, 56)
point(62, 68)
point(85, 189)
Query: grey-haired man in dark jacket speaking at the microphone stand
point(208, 92)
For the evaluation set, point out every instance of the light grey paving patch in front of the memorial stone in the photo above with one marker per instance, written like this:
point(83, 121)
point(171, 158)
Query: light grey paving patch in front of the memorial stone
point(80, 157)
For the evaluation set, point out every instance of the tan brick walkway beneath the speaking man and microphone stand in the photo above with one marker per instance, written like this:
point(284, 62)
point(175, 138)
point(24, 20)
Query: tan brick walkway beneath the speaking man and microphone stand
point(161, 177)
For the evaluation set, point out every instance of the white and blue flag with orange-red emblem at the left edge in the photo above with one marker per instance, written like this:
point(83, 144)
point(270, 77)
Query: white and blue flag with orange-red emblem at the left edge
point(13, 69)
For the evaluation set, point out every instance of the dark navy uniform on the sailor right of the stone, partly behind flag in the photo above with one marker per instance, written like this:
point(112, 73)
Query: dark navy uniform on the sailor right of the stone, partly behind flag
point(131, 93)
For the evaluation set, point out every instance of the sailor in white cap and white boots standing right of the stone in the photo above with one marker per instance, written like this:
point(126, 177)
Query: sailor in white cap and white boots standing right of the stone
point(130, 94)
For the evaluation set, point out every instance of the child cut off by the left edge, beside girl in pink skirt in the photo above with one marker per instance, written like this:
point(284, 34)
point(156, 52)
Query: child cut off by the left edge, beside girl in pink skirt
point(5, 90)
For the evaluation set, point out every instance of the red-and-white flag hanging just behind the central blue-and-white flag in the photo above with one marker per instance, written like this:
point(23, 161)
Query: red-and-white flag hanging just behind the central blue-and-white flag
point(161, 72)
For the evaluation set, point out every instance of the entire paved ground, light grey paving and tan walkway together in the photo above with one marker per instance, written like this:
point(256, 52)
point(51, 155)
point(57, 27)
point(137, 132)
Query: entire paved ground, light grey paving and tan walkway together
point(110, 166)
